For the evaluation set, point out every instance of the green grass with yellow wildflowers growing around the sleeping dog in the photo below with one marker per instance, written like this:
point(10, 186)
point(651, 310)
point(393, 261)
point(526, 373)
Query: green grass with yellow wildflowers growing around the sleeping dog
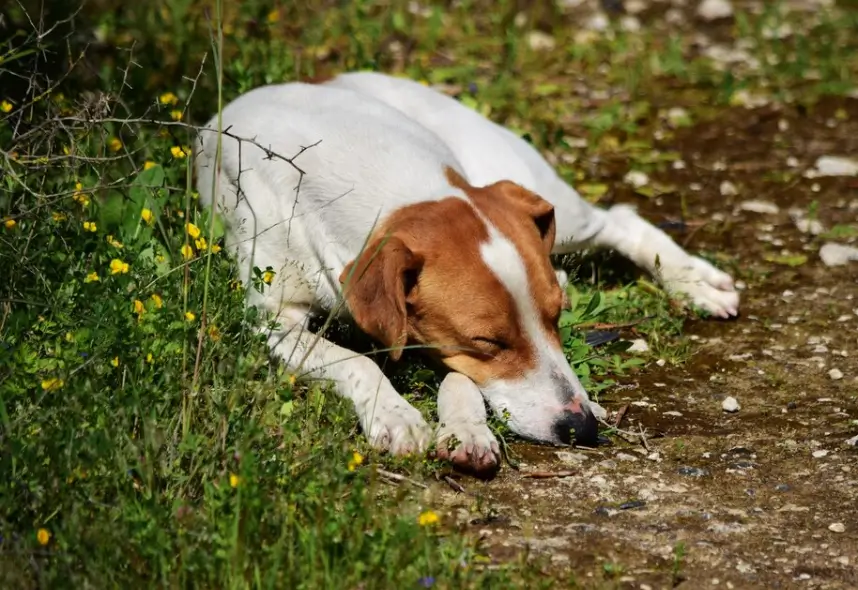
point(143, 427)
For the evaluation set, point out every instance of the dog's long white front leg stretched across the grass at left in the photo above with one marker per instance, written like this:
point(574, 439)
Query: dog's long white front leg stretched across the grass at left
point(388, 421)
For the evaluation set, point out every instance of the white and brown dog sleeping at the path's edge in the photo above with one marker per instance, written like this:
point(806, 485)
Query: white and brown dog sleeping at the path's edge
point(435, 225)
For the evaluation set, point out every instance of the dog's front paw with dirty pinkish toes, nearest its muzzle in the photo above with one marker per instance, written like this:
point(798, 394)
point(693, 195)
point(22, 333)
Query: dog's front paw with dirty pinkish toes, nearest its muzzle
point(469, 446)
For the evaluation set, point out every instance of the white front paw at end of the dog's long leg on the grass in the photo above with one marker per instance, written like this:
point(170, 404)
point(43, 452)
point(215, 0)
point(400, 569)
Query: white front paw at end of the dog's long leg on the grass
point(398, 428)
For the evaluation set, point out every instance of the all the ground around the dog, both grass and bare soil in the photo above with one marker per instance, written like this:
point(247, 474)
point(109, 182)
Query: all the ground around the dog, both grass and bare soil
point(146, 439)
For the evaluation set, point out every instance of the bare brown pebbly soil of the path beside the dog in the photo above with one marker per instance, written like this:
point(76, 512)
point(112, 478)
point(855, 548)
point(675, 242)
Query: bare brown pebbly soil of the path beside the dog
point(766, 497)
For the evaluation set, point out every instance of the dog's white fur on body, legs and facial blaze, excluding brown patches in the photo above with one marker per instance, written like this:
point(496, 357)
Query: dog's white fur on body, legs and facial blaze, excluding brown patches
point(385, 143)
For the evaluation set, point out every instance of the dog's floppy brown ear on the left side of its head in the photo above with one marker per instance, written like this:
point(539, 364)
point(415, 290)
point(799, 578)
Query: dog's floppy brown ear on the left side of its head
point(375, 286)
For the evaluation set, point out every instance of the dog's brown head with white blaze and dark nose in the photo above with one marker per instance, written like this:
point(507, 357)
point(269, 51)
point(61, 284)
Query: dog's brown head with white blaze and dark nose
point(471, 280)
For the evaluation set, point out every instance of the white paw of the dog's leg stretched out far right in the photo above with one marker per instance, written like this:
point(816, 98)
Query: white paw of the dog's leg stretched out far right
point(704, 285)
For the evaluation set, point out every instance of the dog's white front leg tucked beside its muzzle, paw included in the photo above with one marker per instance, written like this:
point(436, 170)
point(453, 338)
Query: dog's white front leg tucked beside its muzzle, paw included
point(464, 437)
